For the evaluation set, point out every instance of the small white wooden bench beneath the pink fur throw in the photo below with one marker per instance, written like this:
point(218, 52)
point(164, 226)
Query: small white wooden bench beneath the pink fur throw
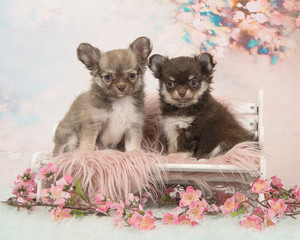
point(211, 173)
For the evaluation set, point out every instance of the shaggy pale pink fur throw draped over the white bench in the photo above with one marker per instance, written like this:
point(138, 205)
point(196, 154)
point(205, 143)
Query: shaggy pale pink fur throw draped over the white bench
point(119, 173)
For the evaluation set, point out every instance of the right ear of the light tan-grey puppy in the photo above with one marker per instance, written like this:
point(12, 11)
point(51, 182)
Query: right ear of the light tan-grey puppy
point(141, 47)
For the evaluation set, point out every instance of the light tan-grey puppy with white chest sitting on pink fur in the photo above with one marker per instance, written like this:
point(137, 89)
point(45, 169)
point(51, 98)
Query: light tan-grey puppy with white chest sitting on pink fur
point(112, 110)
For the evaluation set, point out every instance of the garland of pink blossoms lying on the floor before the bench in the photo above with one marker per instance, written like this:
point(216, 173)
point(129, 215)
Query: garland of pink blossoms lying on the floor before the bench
point(67, 199)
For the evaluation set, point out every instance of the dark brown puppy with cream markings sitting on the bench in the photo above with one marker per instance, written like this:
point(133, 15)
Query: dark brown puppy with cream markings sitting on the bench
point(192, 119)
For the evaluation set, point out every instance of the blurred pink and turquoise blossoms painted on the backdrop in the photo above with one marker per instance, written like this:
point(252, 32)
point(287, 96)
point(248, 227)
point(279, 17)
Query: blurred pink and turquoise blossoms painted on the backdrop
point(260, 26)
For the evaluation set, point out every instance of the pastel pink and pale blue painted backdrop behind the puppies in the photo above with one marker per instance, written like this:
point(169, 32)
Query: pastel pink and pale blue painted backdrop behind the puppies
point(256, 45)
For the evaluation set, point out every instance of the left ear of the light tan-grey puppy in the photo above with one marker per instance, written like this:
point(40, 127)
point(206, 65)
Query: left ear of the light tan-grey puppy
point(88, 55)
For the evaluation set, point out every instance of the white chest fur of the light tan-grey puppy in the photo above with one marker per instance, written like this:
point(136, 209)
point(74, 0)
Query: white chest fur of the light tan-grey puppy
point(121, 117)
